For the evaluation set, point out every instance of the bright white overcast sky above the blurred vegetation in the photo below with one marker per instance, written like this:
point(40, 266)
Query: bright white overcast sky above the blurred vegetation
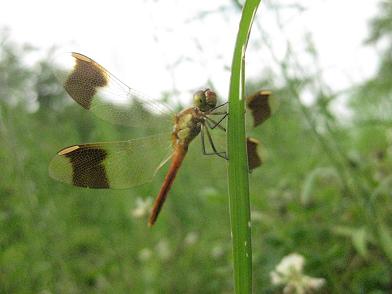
point(157, 46)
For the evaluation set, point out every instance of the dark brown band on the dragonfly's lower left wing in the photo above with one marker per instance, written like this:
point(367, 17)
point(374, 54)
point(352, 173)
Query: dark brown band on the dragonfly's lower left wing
point(88, 167)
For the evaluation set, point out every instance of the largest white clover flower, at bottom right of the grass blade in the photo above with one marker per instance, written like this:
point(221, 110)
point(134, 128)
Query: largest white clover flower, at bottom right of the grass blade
point(289, 273)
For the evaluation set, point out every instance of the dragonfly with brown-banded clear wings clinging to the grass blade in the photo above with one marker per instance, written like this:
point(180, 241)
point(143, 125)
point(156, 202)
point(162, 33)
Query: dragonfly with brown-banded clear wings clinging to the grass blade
point(126, 164)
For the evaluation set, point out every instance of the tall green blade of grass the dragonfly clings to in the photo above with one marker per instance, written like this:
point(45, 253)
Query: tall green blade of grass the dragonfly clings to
point(238, 163)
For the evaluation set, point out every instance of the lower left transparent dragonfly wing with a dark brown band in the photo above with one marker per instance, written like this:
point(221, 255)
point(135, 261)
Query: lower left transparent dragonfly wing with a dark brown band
point(116, 165)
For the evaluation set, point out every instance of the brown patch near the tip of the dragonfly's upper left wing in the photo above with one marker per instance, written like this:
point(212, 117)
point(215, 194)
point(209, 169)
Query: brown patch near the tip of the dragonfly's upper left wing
point(83, 81)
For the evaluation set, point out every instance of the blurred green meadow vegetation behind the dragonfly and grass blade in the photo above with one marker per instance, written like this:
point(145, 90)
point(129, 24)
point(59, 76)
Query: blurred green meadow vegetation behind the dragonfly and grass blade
point(324, 192)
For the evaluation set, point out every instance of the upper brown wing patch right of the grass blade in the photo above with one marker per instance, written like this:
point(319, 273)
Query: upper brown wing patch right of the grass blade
point(259, 105)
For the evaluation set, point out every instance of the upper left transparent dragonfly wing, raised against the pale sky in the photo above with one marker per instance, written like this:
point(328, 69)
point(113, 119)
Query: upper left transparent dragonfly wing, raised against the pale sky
point(97, 90)
